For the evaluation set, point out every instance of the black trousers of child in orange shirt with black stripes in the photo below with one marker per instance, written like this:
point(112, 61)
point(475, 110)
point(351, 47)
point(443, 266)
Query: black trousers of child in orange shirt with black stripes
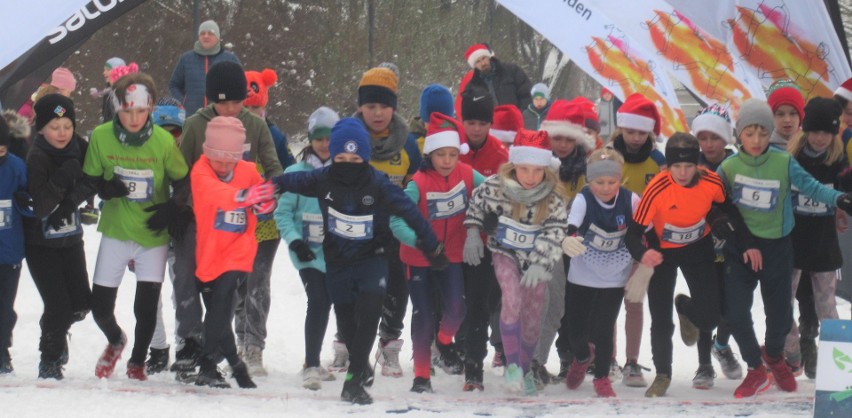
point(697, 262)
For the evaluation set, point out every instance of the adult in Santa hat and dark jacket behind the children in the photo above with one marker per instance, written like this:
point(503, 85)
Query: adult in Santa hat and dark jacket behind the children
point(506, 83)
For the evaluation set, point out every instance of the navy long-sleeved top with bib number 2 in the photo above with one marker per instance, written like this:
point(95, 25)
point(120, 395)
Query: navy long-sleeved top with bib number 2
point(359, 225)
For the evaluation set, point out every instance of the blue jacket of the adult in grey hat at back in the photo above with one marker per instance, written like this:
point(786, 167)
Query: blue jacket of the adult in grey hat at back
point(190, 75)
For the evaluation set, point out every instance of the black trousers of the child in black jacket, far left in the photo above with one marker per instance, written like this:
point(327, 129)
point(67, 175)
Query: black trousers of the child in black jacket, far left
point(62, 281)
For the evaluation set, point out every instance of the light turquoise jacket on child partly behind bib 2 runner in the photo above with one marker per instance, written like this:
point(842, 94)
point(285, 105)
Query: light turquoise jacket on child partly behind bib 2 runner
point(292, 210)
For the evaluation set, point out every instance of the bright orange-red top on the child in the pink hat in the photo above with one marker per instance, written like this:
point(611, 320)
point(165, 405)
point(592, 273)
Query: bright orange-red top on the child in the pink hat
point(225, 235)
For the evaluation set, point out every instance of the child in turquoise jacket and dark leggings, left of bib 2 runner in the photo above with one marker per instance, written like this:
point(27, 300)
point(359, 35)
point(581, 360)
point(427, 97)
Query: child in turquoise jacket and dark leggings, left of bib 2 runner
point(300, 221)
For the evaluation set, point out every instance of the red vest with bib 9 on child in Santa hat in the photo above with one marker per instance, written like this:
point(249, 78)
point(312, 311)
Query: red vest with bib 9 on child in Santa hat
point(445, 213)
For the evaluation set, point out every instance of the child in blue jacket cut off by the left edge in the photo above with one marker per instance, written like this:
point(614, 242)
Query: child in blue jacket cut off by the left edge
point(13, 183)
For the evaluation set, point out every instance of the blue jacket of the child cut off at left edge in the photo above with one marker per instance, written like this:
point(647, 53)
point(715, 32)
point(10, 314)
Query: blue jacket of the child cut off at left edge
point(13, 178)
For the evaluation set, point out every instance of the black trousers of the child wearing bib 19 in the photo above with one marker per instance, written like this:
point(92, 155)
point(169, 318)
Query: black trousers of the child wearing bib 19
point(591, 314)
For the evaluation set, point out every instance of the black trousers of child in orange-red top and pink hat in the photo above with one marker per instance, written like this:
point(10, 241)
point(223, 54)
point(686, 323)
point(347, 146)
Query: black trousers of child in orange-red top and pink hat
point(219, 297)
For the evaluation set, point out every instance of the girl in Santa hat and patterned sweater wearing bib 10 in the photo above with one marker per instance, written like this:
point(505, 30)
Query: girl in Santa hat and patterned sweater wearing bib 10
point(525, 202)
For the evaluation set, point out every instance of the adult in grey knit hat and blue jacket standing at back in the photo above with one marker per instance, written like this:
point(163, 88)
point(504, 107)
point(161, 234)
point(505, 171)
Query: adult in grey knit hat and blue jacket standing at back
point(190, 74)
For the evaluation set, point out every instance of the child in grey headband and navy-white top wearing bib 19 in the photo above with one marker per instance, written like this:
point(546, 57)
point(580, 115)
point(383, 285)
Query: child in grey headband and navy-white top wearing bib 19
point(599, 215)
